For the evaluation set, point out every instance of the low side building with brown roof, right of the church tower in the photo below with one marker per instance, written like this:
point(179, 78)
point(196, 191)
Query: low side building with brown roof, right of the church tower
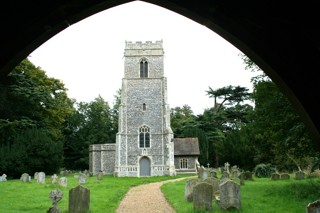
point(186, 153)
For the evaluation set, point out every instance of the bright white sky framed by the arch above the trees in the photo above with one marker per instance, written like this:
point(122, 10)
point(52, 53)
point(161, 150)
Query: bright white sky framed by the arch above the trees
point(88, 56)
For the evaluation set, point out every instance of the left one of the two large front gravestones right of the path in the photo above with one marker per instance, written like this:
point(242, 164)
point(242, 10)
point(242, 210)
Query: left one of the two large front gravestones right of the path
point(202, 197)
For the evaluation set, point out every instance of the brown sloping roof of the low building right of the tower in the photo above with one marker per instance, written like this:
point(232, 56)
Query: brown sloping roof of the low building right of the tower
point(186, 146)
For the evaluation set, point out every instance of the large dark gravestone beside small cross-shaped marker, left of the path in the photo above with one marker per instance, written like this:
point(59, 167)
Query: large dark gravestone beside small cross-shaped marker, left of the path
point(79, 199)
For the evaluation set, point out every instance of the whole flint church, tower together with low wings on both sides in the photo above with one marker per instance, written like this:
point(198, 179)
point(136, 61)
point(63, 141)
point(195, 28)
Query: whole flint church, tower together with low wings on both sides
point(145, 144)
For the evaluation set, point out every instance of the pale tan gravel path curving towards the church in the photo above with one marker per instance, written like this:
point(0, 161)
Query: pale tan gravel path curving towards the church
point(146, 198)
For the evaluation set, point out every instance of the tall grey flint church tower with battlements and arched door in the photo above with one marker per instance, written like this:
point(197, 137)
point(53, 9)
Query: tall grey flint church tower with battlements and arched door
point(144, 142)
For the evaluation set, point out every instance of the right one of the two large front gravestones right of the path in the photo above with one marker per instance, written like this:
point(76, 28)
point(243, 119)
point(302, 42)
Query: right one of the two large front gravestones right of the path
point(230, 196)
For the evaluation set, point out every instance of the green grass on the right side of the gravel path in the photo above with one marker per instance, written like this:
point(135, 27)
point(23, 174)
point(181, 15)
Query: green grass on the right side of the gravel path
point(262, 195)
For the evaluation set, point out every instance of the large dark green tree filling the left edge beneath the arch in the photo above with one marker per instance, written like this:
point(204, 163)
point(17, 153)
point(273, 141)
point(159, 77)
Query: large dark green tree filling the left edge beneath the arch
point(33, 108)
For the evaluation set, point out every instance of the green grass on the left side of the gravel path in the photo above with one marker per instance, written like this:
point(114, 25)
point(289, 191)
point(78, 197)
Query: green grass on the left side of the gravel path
point(33, 197)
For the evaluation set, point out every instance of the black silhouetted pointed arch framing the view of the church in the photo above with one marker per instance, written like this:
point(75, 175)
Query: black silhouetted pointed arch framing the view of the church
point(282, 39)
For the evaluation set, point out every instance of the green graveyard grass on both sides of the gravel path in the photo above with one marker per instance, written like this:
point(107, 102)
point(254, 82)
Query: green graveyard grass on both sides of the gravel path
point(259, 196)
